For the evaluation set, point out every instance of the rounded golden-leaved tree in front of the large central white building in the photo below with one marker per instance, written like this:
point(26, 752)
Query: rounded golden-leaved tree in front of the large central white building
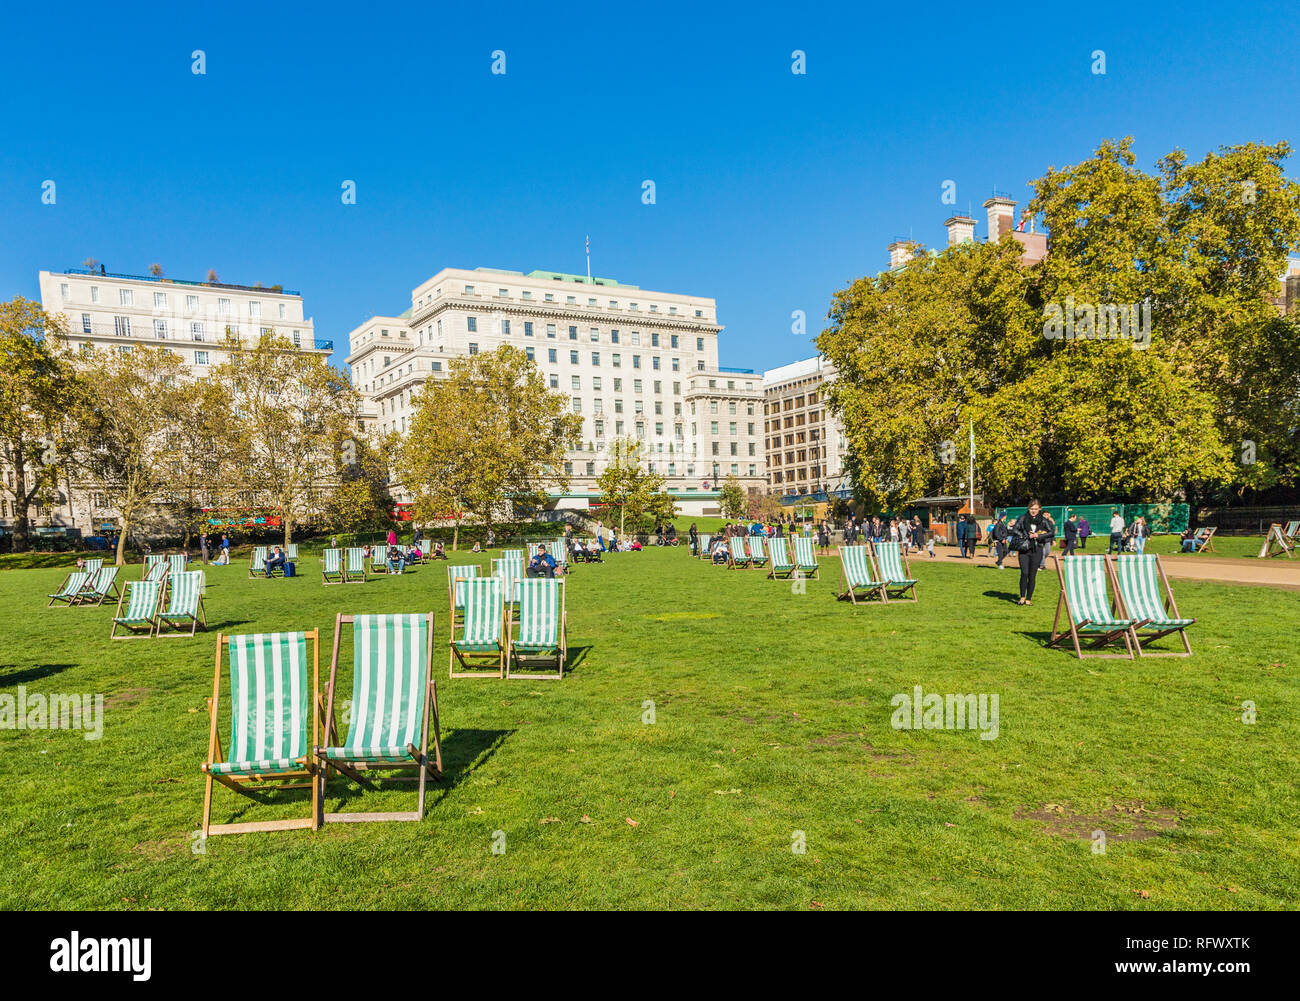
point(488, 437)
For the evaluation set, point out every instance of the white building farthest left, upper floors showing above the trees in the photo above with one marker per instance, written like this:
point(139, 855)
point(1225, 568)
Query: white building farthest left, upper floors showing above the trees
point(188, 318)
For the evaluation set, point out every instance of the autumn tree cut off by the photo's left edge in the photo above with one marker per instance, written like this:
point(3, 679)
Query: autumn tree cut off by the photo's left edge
point(36, 389)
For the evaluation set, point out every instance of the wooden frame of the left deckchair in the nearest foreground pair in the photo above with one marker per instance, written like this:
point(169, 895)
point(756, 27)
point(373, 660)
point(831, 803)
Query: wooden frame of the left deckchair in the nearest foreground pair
point(244, 785)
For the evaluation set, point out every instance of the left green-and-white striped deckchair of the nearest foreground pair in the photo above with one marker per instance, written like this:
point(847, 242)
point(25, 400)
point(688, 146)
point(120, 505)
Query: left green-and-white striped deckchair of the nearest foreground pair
point(275, 725)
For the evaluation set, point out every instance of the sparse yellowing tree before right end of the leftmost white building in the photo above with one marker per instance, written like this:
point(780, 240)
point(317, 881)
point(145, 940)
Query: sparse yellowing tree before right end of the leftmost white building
point(291, 409)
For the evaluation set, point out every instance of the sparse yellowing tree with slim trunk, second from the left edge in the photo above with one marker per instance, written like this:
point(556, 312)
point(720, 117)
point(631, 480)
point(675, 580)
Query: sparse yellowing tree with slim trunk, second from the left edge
point(127, 406)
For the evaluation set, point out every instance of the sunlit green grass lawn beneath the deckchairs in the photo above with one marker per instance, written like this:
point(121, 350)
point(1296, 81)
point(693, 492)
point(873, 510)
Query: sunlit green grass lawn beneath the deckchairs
point(772, 717)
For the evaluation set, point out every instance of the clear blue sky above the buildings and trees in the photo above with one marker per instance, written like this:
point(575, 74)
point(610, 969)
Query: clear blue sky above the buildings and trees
point(773, 189)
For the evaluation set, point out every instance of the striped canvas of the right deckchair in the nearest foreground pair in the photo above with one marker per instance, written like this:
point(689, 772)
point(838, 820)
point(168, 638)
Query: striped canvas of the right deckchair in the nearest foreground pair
point(389, 670)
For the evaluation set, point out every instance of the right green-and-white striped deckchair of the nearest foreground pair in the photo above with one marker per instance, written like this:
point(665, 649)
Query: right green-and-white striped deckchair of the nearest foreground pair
point(395, 699)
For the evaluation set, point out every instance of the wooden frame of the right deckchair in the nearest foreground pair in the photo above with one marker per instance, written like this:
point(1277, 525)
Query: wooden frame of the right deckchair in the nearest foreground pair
point(358, 770)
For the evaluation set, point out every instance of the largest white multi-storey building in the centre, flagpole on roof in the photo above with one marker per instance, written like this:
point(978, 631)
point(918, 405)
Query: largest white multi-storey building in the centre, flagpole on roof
point(632, 363)
